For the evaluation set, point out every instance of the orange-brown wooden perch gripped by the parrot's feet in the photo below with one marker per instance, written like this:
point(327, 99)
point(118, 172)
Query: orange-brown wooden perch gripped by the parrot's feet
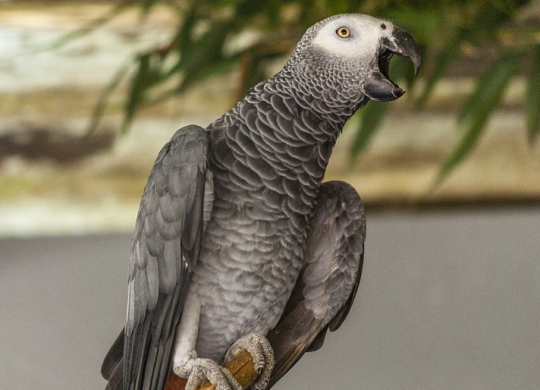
point(241, 366)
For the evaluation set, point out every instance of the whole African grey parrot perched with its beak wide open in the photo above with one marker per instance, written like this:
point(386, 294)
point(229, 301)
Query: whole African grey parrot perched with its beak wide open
point(238, 244)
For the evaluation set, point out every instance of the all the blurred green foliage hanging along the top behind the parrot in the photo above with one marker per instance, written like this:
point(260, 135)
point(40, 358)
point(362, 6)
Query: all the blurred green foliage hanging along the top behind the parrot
point(445, 29)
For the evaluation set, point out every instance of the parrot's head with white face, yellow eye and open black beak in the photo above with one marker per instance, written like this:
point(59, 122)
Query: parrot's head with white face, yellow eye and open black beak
point(350, 54)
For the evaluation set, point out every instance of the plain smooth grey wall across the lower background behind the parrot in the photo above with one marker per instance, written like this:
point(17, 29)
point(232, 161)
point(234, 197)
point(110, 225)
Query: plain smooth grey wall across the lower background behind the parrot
point(448, 300)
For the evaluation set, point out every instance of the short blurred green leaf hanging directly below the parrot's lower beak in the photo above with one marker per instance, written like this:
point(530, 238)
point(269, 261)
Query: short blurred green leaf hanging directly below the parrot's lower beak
point(371, 117)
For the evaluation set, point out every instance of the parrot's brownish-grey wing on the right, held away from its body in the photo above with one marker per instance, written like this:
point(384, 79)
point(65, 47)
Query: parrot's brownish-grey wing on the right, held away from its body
point(329, 280)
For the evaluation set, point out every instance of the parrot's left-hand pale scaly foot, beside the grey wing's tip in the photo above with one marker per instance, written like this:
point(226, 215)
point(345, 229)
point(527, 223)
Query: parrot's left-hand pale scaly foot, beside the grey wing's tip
point(197, 370)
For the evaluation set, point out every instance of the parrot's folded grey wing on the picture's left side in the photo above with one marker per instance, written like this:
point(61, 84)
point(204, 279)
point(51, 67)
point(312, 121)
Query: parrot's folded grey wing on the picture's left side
point(165, 248)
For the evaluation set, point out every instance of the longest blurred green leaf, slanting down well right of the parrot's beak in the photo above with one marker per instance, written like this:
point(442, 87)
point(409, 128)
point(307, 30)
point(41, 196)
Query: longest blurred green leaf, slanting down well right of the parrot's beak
point(479, 107)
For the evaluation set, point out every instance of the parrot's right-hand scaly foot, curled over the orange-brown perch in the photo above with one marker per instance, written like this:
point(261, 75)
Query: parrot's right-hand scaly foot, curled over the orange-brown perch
point(262, 353)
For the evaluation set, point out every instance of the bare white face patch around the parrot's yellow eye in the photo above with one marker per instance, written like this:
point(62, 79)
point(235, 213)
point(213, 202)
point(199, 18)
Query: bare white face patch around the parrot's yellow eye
point(363, 40)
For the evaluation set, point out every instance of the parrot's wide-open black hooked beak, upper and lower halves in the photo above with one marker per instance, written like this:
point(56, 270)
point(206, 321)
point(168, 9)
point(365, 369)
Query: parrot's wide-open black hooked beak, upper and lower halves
point(378, 85)
